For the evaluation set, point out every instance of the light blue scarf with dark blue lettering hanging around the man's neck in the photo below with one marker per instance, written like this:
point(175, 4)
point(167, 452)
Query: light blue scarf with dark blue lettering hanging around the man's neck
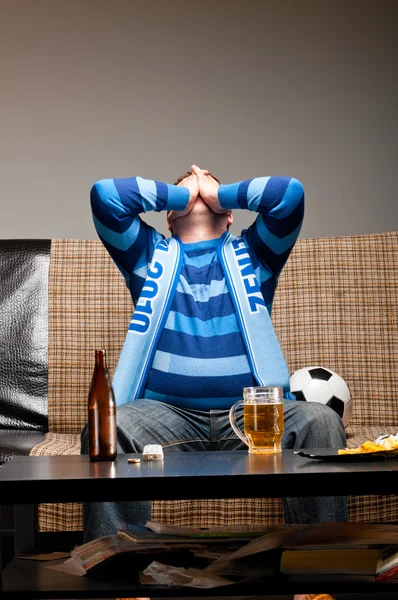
point(264, 353)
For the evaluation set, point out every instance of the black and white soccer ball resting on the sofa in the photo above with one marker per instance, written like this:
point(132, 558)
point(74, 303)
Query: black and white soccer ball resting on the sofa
point(318, 384)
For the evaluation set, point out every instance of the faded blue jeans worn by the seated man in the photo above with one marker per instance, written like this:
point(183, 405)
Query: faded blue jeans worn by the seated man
point(307, 425)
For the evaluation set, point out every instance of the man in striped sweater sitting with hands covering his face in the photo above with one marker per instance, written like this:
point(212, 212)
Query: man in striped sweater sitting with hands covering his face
point(201, 329)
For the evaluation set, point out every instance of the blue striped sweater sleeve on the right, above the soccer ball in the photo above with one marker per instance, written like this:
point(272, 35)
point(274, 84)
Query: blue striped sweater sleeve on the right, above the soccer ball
point(280, 204)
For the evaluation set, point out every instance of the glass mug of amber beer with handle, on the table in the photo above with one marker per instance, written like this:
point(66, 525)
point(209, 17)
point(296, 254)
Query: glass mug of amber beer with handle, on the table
point(262, 419)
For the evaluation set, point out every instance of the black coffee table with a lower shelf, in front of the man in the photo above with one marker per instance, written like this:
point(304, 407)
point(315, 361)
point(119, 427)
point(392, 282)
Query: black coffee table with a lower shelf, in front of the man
point(29, 480)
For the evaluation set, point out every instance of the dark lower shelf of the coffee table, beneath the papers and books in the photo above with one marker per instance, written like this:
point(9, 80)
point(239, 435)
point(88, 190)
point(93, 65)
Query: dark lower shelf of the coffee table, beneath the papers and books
point(23, 578)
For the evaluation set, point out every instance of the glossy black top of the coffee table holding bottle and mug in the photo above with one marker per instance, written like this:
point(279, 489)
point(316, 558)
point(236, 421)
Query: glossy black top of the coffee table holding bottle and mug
point(191, 475)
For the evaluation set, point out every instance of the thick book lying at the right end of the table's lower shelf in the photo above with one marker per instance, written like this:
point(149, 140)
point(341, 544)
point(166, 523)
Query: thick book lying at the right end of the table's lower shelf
point(368, 563)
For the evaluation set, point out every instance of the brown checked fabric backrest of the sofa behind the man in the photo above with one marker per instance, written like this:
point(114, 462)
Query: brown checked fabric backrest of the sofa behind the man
point(335, 306)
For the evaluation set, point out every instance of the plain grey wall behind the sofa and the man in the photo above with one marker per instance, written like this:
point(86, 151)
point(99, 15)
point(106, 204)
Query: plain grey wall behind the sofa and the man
point(94, 88)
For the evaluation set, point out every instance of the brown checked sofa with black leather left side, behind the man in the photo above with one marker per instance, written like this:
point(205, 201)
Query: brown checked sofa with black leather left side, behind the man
point(336, 306)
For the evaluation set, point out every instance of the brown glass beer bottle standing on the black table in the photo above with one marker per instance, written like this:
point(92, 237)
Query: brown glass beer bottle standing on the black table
point(102, 443)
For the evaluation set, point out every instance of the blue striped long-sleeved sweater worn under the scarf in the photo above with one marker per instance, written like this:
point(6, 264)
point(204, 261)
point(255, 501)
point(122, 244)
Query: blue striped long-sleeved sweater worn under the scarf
point(200, 361)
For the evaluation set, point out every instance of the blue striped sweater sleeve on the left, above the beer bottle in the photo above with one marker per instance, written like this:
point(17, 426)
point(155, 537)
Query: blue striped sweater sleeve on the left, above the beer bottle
point(116, 205)
